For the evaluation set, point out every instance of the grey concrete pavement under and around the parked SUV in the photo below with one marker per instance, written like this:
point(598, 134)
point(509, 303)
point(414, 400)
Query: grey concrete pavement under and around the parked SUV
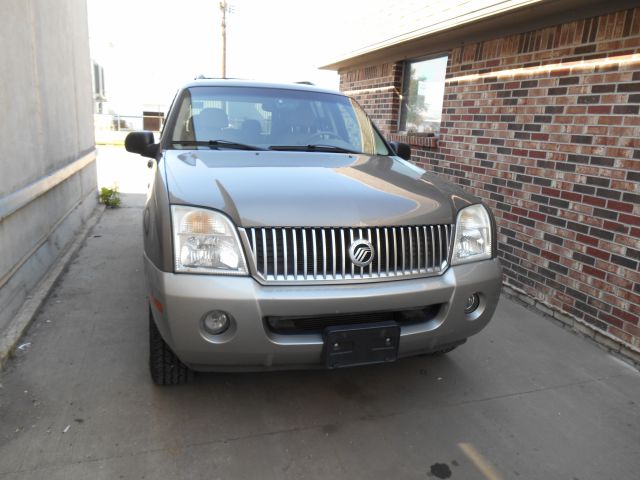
point(523, 399)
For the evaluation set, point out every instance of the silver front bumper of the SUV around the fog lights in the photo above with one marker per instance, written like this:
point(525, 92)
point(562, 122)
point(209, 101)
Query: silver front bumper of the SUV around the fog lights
point(250, 345)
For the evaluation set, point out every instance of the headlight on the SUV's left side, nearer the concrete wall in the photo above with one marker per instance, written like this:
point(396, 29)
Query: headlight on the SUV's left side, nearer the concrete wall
point(205, 242)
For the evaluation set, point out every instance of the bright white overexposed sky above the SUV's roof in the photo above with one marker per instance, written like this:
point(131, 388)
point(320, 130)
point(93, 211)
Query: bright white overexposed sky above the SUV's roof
point(148, 48)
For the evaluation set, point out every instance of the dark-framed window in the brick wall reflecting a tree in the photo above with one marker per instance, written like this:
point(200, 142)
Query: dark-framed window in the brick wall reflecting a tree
point(422, 97)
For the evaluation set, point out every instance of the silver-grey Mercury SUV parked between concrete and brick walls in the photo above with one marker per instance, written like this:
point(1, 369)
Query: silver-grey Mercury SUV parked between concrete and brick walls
point(282, 231)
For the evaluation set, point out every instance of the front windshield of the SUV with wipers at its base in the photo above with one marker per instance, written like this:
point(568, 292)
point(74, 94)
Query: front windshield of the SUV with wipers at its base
point(269, 118)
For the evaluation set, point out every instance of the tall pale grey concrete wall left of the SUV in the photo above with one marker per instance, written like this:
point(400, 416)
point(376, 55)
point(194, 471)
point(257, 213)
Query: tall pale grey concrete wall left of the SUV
point(47, 164)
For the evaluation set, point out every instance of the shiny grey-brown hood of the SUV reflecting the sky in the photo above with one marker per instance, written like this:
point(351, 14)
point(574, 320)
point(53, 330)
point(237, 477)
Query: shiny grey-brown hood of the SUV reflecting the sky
point(269, 188)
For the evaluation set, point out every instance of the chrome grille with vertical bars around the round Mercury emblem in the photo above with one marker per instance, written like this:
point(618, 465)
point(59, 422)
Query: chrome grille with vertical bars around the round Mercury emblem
point(296, 254)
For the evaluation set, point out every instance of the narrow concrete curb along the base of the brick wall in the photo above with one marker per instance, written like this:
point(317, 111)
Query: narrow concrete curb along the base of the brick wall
point(602, 339)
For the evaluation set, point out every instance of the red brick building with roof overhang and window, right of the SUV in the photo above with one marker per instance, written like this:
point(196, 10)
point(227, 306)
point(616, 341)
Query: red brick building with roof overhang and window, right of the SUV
point(536, 111)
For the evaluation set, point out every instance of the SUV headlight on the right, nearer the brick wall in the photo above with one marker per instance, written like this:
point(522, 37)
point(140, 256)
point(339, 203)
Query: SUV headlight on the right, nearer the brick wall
point(473, 235)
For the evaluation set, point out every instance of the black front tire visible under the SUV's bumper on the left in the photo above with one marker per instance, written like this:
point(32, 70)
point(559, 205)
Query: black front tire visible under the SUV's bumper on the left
point(166, 368)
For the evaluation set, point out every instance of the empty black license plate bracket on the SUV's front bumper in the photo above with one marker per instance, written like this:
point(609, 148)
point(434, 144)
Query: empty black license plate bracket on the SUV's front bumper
point(366, 344)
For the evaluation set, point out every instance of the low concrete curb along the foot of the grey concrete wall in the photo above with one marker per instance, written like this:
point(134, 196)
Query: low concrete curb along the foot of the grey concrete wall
point(31, 306)
